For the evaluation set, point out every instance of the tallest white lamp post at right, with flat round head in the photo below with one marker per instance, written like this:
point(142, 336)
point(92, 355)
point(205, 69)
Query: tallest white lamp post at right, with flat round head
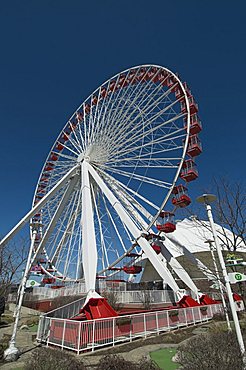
point(207, 199)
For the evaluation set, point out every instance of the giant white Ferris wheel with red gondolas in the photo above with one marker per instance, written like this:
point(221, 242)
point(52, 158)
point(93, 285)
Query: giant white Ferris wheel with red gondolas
point(104, 191)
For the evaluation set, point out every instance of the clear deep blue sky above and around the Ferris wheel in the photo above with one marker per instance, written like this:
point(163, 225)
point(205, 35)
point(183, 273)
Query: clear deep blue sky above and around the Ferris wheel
point(55, 53)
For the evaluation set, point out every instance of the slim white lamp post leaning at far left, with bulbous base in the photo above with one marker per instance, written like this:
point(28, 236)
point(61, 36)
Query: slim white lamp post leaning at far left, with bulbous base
point(12, 352)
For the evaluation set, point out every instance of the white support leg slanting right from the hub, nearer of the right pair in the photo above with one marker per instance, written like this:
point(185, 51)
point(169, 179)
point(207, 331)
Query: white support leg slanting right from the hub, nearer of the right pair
point(156, 260)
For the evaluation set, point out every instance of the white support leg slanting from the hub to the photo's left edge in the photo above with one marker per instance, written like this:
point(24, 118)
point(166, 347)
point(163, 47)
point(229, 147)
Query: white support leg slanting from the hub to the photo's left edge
point(39, 205)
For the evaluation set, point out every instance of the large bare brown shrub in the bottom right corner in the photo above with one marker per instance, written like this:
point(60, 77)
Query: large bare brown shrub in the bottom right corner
point(211, 351)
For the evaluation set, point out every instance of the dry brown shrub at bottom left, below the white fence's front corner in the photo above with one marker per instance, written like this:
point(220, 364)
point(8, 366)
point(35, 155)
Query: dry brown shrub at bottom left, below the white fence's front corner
point(52, 359)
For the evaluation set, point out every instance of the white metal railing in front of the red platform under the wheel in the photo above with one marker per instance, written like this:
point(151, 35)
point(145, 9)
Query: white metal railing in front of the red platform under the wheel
point(89, 335)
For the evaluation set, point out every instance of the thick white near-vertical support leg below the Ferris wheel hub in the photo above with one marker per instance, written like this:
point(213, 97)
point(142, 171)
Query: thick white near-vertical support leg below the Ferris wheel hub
point(89, 247)
